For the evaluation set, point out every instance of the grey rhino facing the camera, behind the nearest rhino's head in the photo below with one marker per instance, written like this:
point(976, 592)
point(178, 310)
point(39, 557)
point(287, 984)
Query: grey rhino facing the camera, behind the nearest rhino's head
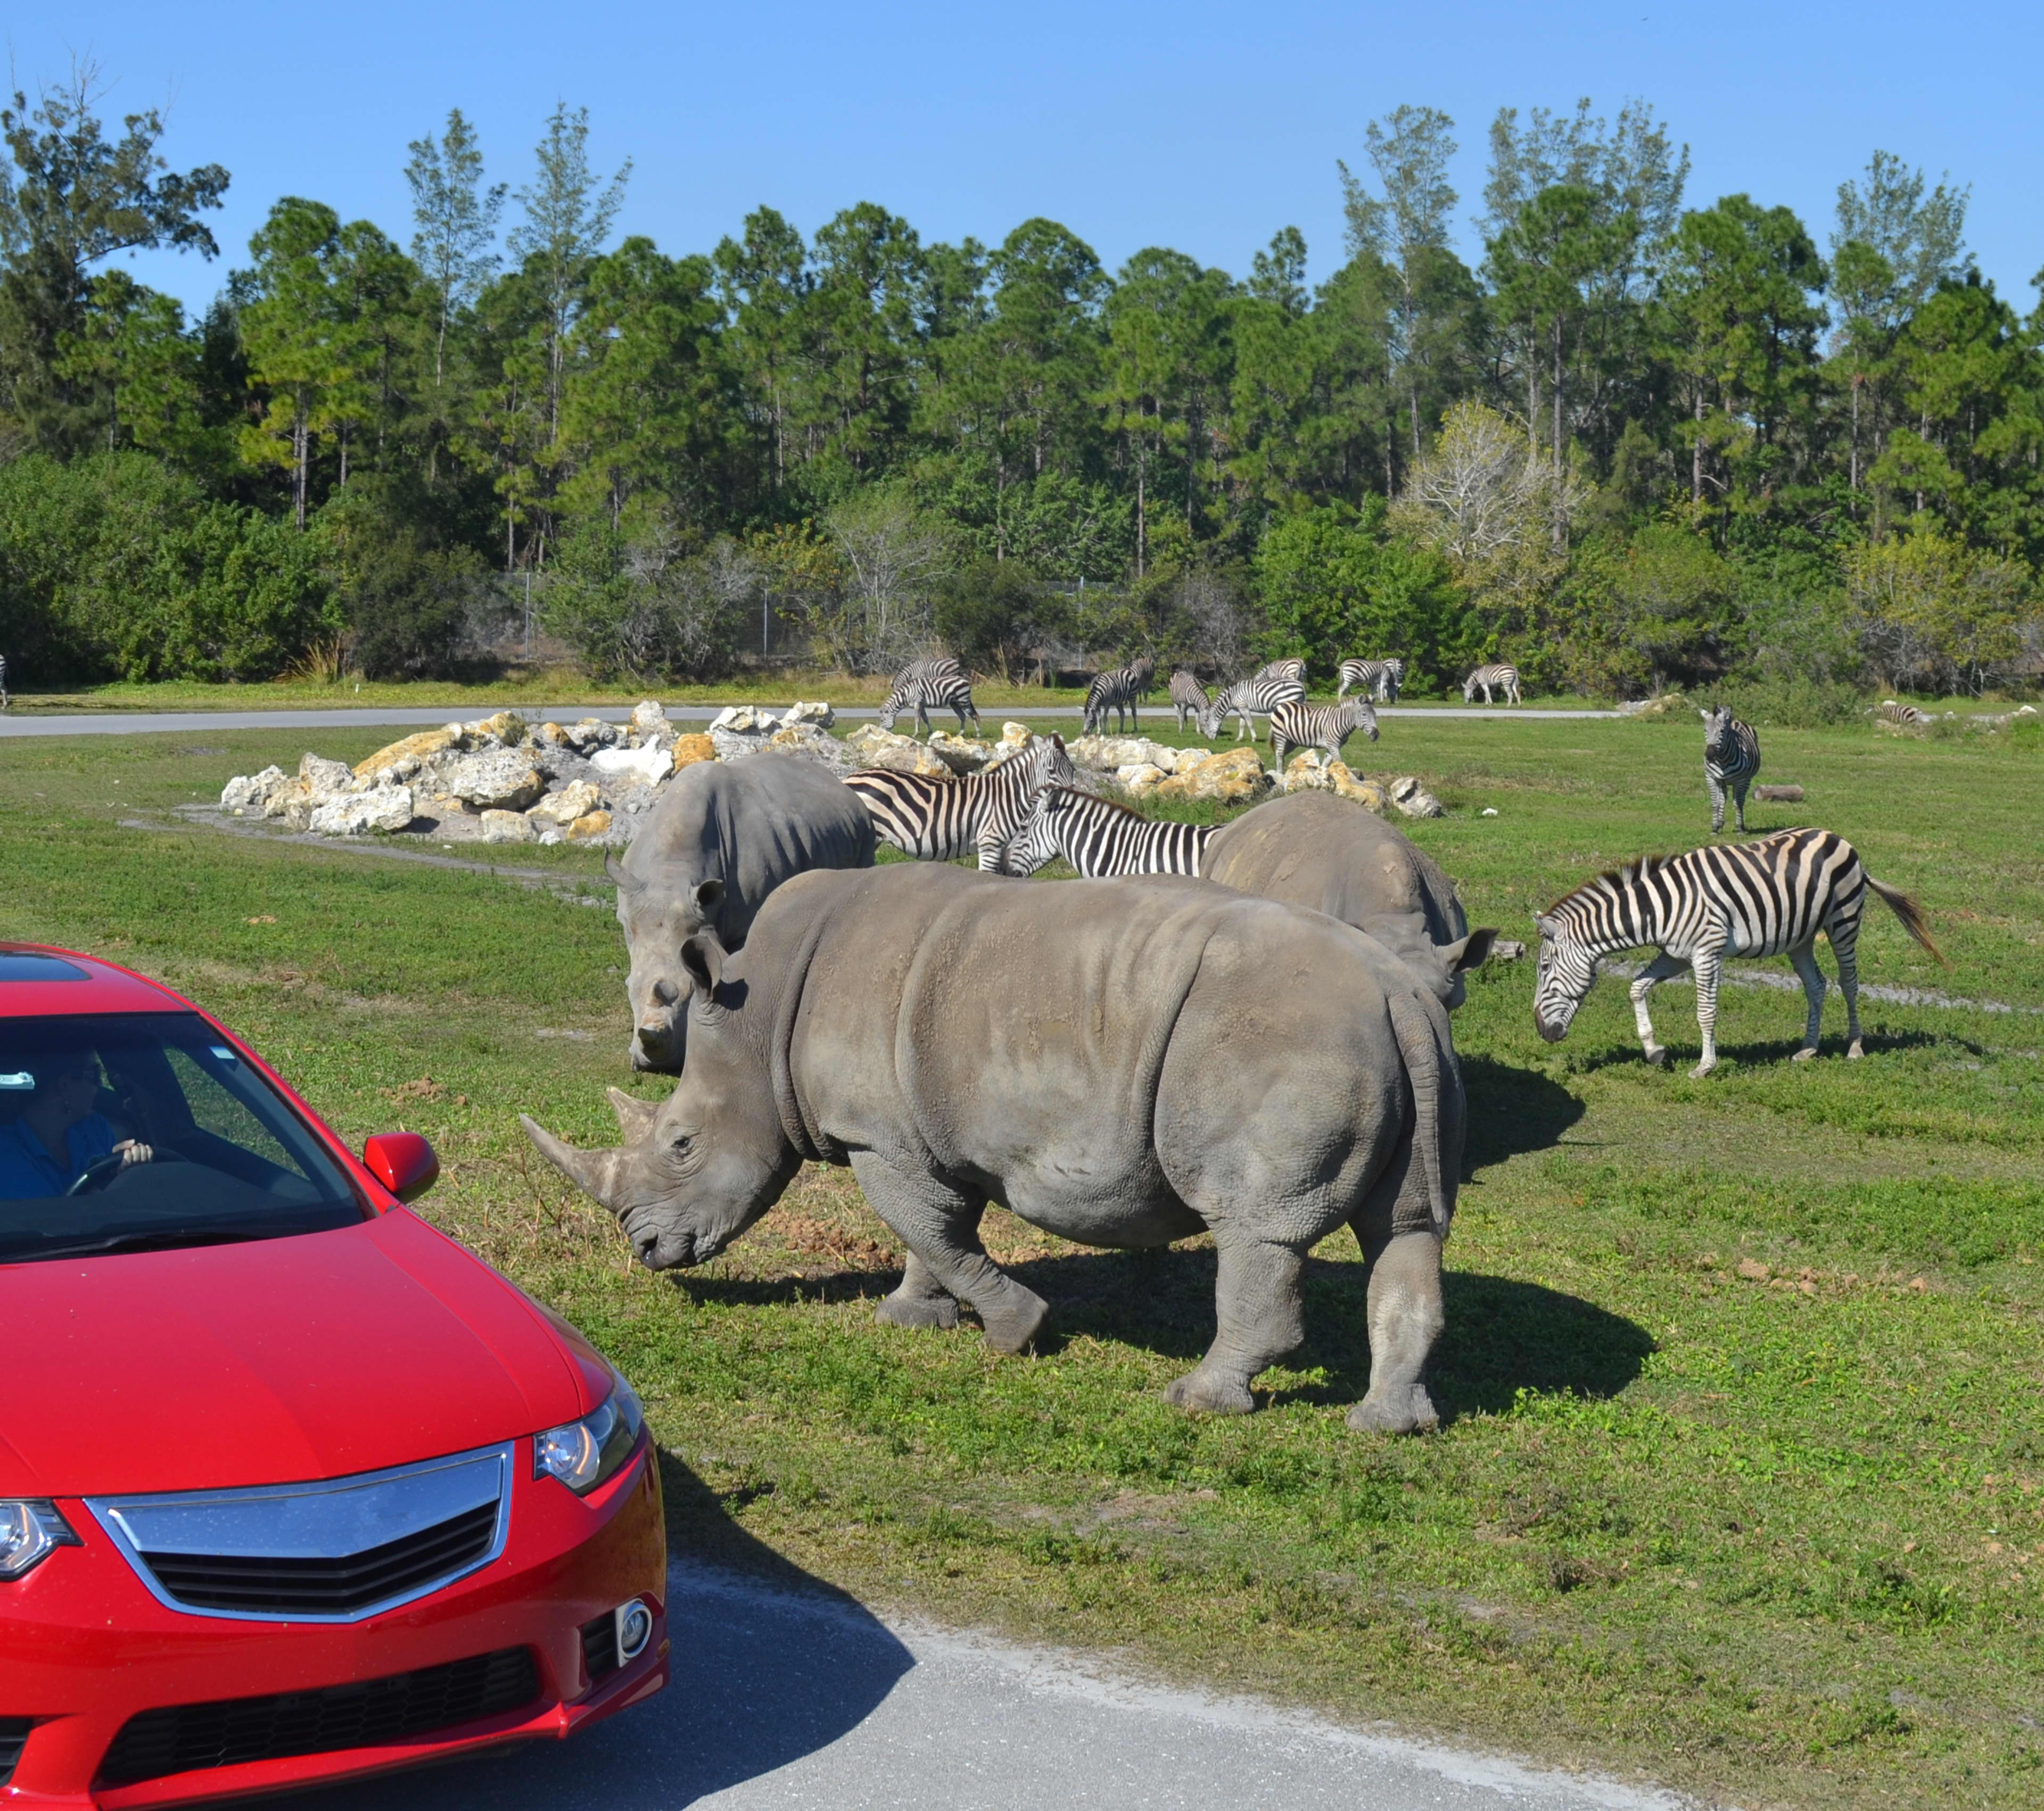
point(721, 841)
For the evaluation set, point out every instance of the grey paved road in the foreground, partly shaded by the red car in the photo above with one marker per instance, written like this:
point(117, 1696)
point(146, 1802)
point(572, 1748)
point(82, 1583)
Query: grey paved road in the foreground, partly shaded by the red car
point(786, 1704)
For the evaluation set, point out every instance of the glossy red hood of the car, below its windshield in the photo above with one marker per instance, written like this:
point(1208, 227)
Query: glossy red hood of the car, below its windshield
point(275, 1362)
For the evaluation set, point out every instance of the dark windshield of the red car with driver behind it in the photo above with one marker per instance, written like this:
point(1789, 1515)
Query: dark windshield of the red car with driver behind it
point(144, 1131)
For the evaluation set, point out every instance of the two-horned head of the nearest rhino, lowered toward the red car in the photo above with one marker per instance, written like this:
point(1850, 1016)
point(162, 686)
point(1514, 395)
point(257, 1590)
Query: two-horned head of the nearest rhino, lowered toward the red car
point(706, 1164)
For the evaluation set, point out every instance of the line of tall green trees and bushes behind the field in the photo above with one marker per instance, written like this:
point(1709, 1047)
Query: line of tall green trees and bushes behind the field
point(1638, 445)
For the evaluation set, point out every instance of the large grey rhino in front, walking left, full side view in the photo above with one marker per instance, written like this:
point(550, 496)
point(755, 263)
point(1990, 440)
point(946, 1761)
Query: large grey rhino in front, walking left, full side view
point(1117, 1062)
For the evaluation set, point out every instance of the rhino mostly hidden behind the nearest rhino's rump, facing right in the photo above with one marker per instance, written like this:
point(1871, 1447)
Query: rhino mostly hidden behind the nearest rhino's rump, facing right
point(1330, 855)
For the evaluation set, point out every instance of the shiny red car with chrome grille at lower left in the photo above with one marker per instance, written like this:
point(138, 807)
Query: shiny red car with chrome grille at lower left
point(291, 1487)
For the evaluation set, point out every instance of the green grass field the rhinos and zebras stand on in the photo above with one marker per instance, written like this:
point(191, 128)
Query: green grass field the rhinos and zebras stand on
point(1743, 1481)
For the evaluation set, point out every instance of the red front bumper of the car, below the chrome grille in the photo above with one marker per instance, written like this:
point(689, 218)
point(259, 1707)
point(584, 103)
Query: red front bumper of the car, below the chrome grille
point(85, 1646)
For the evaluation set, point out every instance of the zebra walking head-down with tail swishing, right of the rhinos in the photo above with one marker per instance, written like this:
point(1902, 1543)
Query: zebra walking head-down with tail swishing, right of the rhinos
point(1724, 900)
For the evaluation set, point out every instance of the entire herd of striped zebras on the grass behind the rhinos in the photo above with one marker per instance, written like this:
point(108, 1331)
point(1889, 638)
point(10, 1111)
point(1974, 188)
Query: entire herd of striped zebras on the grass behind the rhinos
point(1698, 911)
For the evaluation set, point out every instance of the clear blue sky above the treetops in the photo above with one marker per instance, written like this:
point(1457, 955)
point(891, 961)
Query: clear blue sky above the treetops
point(1193, 126)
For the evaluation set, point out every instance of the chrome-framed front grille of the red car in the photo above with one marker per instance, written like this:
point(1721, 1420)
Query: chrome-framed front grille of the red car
point(330, 1552)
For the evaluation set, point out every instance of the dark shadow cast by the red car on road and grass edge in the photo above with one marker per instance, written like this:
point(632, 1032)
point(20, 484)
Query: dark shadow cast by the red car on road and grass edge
point(770, 1667)
